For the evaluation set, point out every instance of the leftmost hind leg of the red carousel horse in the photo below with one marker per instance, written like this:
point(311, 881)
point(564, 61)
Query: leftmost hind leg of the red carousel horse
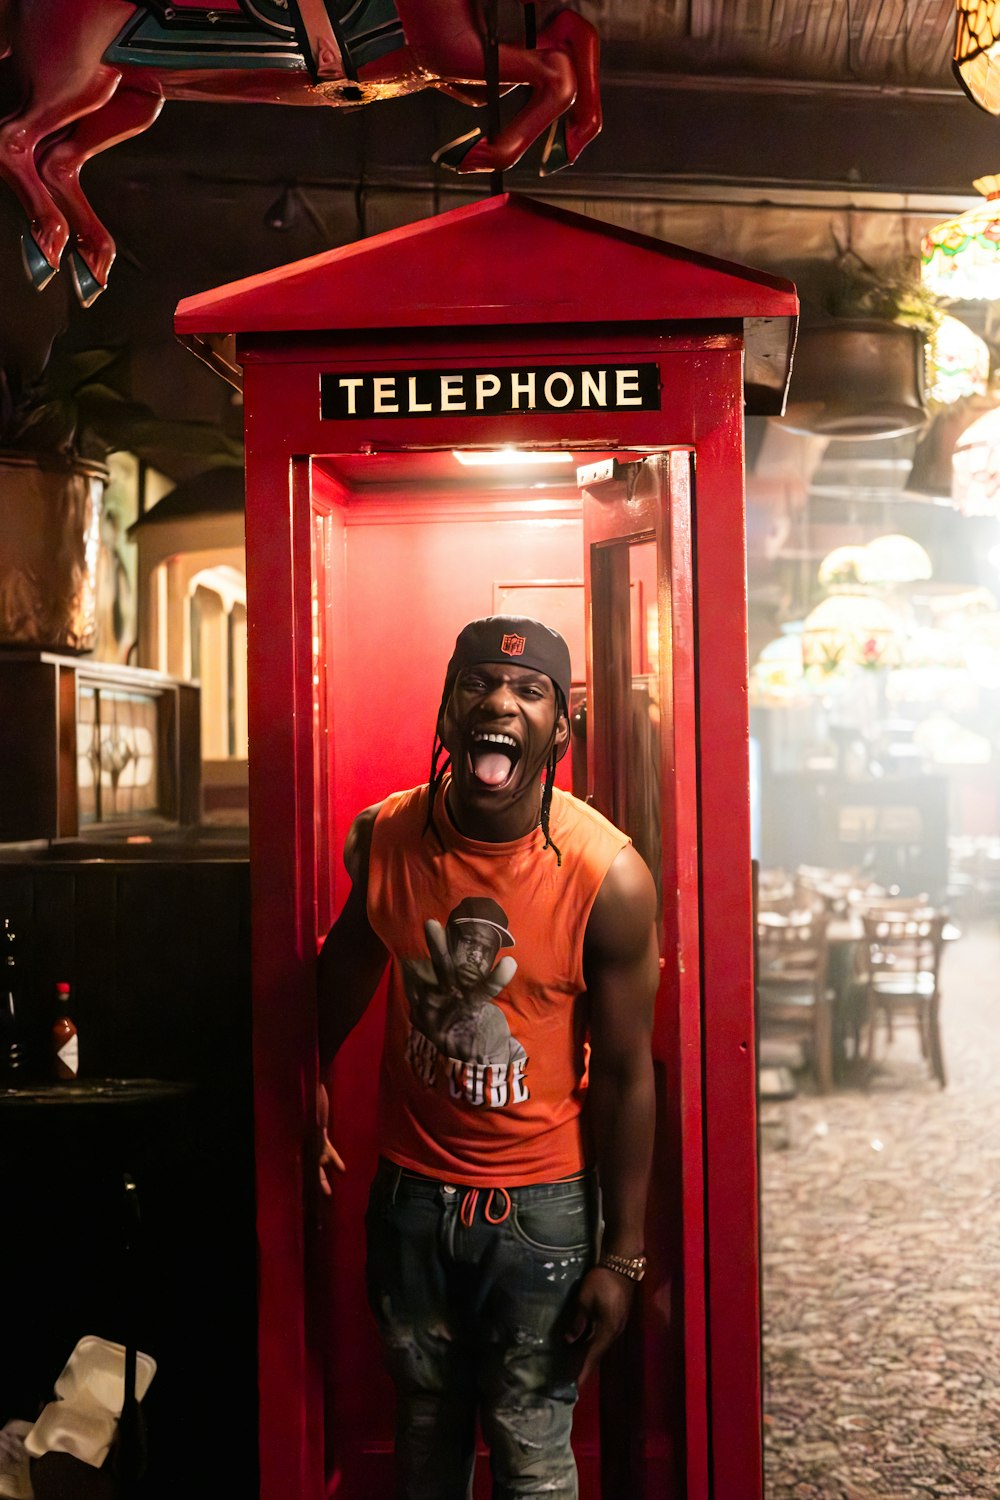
point(59, 61)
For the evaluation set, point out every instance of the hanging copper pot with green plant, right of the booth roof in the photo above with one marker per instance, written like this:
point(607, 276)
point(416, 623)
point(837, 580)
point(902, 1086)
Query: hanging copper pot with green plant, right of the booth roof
point(858, 368)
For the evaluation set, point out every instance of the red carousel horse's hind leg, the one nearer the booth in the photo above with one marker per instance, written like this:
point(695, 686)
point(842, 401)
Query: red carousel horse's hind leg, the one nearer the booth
point(128, 113)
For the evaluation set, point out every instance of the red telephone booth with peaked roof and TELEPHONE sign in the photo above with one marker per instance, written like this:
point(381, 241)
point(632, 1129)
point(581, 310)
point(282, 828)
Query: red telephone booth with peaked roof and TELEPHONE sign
point(507, 409)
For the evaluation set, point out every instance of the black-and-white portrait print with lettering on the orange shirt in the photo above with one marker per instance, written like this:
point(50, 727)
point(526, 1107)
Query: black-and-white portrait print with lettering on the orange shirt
point(455, 1024)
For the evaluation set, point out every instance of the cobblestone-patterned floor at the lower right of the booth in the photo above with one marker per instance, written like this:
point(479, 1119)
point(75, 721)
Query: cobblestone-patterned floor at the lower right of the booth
point(882, 1261)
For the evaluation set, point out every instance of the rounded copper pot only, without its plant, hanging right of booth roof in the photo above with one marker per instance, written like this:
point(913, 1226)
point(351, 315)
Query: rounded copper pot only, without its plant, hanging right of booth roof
point(857, 379)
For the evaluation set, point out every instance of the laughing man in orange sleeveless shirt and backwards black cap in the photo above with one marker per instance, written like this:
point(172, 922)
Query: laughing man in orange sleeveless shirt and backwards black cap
point(484, 1268)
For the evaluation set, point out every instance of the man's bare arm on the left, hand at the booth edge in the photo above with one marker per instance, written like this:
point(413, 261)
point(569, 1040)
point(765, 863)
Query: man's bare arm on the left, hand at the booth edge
point(352, 962)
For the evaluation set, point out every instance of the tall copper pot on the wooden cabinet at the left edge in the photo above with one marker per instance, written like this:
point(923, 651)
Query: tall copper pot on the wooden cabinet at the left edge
point(50, 542)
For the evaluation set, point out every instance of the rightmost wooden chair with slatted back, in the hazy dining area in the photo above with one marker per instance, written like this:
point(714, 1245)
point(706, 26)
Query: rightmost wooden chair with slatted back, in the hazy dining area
point(905, 959)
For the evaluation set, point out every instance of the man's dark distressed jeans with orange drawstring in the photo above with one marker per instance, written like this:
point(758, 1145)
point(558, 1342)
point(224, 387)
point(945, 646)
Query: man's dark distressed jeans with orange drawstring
point(473, 1292)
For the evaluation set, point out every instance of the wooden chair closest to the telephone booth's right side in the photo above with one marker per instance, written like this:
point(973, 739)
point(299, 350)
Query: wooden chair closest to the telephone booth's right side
point(795, 1001)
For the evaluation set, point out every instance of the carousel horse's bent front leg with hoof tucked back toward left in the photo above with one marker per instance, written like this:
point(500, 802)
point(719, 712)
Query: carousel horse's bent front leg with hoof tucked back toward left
point(448, 43)
